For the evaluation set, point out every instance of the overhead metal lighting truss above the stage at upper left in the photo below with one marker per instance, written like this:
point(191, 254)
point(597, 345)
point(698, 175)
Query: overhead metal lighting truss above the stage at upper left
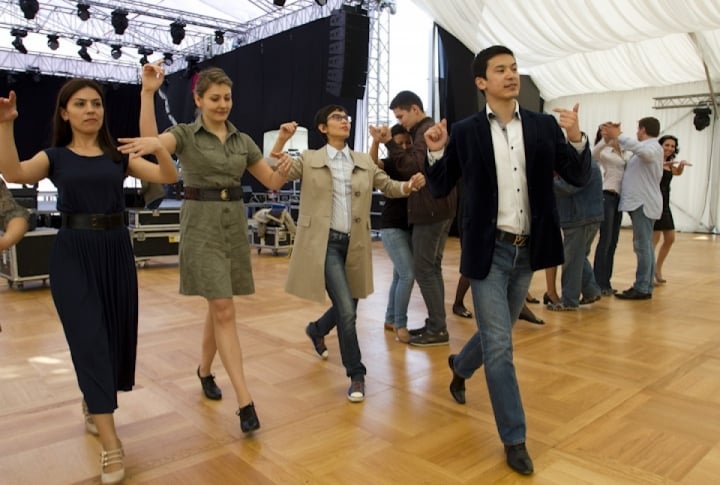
point(149, 29)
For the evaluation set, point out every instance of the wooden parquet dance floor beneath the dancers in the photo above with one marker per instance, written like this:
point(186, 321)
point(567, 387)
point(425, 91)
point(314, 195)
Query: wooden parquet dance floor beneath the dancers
point(618, 392)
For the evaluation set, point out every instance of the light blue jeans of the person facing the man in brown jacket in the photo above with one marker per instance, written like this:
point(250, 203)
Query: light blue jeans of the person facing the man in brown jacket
point(398, 245)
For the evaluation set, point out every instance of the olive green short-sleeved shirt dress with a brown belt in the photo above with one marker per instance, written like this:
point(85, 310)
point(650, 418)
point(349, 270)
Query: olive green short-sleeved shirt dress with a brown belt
point(214, 249)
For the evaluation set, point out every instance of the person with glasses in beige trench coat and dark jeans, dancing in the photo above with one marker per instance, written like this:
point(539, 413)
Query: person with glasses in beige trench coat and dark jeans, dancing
point(332, 251)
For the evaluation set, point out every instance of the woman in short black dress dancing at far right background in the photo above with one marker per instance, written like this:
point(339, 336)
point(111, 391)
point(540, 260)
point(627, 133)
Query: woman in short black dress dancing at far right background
point(665, 226)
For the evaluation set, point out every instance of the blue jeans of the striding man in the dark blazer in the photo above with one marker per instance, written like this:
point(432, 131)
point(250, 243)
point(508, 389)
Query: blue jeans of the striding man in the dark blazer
point(498, 300)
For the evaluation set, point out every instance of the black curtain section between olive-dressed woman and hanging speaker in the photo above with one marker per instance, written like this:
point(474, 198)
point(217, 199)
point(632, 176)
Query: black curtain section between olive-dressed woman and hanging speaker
point(278, 79)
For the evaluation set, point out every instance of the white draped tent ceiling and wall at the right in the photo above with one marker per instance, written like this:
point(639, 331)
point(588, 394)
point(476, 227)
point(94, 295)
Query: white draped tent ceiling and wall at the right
point(614, 57)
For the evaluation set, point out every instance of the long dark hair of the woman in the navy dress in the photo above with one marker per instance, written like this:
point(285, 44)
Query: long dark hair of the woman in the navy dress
point(62, 132)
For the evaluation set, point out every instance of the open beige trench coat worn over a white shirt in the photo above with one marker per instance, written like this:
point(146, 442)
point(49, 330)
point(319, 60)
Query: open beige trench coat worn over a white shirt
point(306, 275)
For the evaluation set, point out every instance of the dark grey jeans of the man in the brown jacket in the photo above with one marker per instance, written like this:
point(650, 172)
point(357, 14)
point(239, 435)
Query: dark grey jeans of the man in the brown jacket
point(428, 243)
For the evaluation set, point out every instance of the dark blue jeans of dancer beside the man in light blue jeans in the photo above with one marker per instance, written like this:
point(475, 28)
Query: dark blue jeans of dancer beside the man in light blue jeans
point(609, 234)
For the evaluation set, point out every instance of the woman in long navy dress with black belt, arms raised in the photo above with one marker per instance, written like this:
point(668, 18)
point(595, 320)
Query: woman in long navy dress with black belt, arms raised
point(92, 267)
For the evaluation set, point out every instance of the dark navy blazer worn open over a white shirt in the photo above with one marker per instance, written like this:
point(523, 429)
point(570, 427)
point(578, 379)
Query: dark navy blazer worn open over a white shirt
point(469, 155)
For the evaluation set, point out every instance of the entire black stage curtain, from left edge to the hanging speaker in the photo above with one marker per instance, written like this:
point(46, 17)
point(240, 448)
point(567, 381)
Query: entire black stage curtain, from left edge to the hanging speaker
point(278, 79)
